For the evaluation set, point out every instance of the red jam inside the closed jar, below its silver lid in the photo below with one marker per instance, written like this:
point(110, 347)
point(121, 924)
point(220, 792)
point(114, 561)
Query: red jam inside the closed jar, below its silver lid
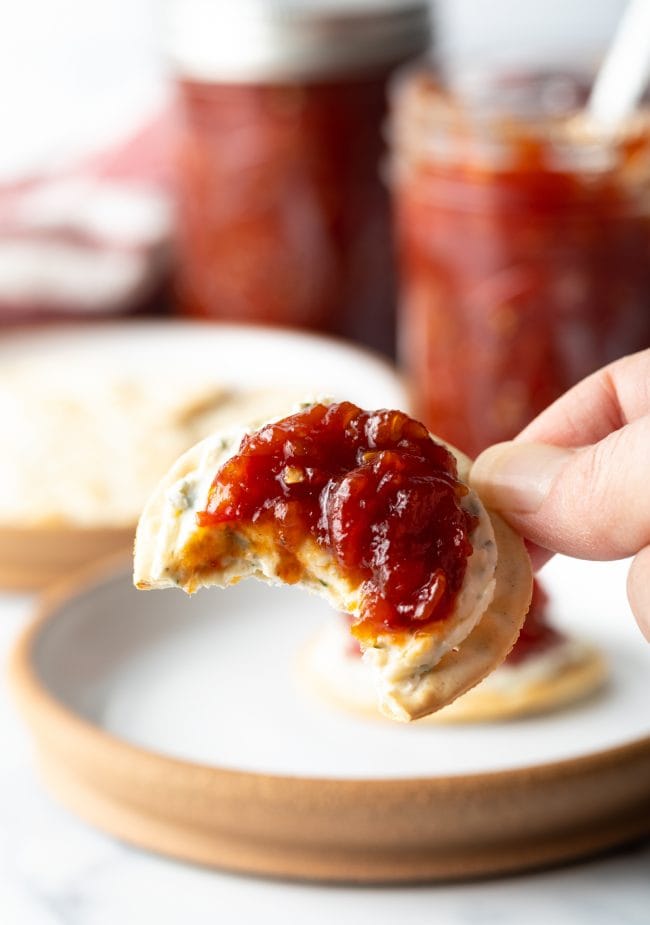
point(282, 217)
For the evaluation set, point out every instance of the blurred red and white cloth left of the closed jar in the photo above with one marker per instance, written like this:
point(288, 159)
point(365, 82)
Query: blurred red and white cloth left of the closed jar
point(91, 240)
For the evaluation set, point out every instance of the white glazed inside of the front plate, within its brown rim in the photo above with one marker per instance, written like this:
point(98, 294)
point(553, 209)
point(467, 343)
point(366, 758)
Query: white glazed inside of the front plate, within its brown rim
point(212, 679)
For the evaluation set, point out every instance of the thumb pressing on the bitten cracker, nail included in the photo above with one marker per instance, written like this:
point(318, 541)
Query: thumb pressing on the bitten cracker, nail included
point(591, 503)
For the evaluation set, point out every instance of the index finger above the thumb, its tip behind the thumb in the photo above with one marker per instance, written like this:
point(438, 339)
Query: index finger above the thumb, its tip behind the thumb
point(603, 402)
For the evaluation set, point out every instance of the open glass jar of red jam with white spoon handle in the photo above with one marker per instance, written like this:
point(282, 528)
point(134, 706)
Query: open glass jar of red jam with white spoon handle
point(524, 245)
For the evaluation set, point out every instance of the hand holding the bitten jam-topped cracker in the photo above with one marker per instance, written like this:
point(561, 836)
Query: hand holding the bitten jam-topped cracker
point(577, 479)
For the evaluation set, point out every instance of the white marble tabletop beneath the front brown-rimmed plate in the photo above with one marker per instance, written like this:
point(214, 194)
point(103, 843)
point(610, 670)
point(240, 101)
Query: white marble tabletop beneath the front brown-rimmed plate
point(55, 870)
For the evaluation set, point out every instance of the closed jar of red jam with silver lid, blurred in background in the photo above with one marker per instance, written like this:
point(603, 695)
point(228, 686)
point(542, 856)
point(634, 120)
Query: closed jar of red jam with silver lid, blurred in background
point(282, 215)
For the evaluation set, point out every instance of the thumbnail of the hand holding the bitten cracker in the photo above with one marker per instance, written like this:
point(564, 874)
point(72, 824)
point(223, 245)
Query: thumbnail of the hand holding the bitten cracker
point(517, 477)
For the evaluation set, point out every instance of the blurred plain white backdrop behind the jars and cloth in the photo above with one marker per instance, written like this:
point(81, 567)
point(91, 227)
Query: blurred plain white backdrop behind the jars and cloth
point(76, 73)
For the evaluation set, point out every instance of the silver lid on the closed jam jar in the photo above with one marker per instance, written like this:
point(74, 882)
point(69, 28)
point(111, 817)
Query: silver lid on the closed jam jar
point(274, 40)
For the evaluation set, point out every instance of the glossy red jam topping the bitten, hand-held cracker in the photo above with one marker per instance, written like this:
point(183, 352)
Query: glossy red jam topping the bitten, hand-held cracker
point(372, 488)
